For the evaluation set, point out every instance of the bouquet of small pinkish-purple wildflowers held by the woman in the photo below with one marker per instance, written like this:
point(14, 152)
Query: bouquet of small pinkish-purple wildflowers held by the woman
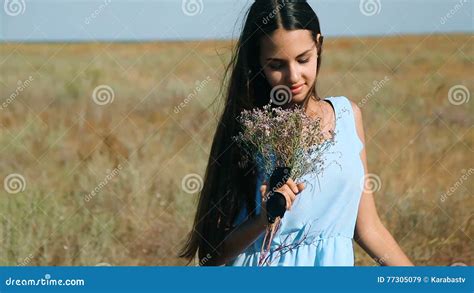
point(274, 138)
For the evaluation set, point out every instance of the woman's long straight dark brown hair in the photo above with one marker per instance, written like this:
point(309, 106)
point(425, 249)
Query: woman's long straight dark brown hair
point(227, 188)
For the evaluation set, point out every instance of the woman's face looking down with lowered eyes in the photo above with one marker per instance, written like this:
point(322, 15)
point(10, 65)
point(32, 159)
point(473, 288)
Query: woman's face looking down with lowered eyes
point(289, 58)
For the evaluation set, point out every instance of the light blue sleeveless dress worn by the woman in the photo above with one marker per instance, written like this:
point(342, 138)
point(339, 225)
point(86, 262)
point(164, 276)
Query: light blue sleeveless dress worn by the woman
point(319, 228)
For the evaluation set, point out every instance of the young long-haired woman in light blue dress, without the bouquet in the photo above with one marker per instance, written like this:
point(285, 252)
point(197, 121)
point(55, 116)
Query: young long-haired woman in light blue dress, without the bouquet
point(281, 45)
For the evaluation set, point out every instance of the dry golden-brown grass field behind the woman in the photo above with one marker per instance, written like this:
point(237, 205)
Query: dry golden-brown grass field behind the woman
point(101, 178)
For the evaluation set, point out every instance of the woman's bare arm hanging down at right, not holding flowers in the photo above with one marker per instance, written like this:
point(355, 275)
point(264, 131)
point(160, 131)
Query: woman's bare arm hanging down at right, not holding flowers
point(370, 233)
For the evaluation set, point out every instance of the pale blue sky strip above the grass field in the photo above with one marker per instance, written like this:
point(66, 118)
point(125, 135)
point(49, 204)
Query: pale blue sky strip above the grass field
point(127, 20)
